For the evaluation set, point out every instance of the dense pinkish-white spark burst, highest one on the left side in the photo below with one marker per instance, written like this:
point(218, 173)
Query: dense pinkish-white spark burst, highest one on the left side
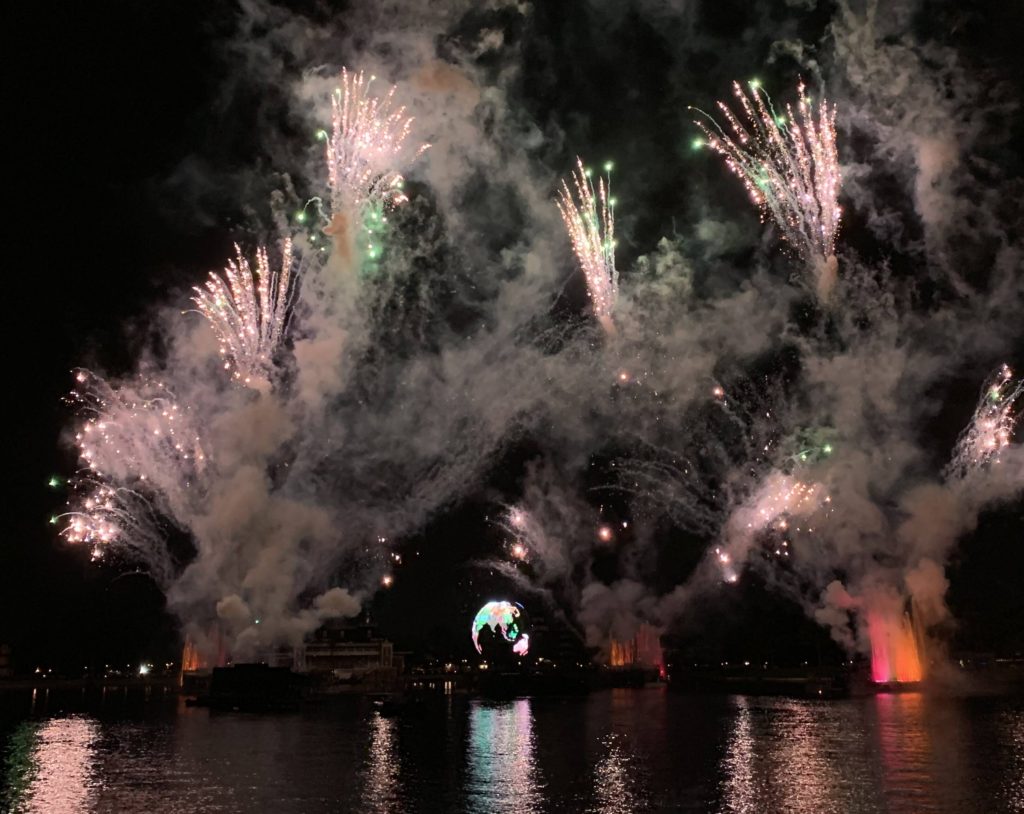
point(366, 143)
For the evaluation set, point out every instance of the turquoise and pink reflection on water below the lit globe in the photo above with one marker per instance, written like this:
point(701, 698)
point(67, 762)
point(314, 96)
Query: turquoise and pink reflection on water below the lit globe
point(503, 775)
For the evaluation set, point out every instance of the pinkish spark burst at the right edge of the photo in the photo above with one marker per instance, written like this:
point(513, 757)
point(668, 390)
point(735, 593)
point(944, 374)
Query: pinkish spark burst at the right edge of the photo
point(992, 429)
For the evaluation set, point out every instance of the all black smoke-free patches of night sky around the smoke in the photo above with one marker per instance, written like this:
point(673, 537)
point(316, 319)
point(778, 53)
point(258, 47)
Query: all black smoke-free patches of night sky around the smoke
point(113, 106)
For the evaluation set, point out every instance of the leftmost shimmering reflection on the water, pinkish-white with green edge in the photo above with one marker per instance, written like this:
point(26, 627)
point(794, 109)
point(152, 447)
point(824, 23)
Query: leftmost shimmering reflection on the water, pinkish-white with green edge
point(50, 766)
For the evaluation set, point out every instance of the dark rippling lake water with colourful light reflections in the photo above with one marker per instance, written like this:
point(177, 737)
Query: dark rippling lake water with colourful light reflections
point(619, 751)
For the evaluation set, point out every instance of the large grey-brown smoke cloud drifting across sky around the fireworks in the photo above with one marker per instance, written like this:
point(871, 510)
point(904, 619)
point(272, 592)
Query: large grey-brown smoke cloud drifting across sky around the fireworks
point(729, 406)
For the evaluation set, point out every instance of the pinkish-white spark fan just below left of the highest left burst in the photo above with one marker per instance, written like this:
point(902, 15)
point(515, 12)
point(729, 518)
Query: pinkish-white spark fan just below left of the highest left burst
point(248, 313)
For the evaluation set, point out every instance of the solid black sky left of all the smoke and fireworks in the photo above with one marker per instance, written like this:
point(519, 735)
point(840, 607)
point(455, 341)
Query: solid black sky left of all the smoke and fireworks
point(108, 103)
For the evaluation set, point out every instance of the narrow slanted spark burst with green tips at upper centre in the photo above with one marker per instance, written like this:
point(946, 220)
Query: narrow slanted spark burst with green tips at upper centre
point(590, 221)
